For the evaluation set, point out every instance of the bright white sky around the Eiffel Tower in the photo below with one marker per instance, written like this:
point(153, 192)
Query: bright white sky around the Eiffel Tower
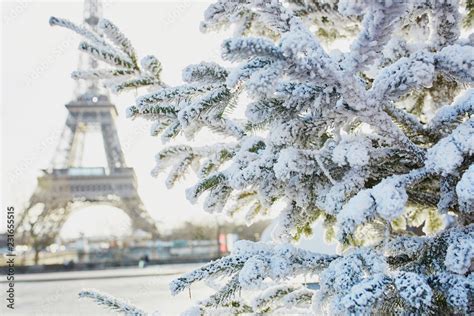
point(35, 85)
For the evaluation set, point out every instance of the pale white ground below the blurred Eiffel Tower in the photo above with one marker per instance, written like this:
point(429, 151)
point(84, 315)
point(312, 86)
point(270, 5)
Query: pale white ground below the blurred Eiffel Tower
point(56, 293)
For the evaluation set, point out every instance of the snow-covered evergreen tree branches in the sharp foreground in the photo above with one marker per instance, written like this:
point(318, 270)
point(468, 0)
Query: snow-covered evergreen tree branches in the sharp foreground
point(377, 141)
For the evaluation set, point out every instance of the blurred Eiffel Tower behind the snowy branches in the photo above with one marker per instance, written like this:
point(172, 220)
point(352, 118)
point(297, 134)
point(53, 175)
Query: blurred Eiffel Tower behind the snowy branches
point(66, 184)
